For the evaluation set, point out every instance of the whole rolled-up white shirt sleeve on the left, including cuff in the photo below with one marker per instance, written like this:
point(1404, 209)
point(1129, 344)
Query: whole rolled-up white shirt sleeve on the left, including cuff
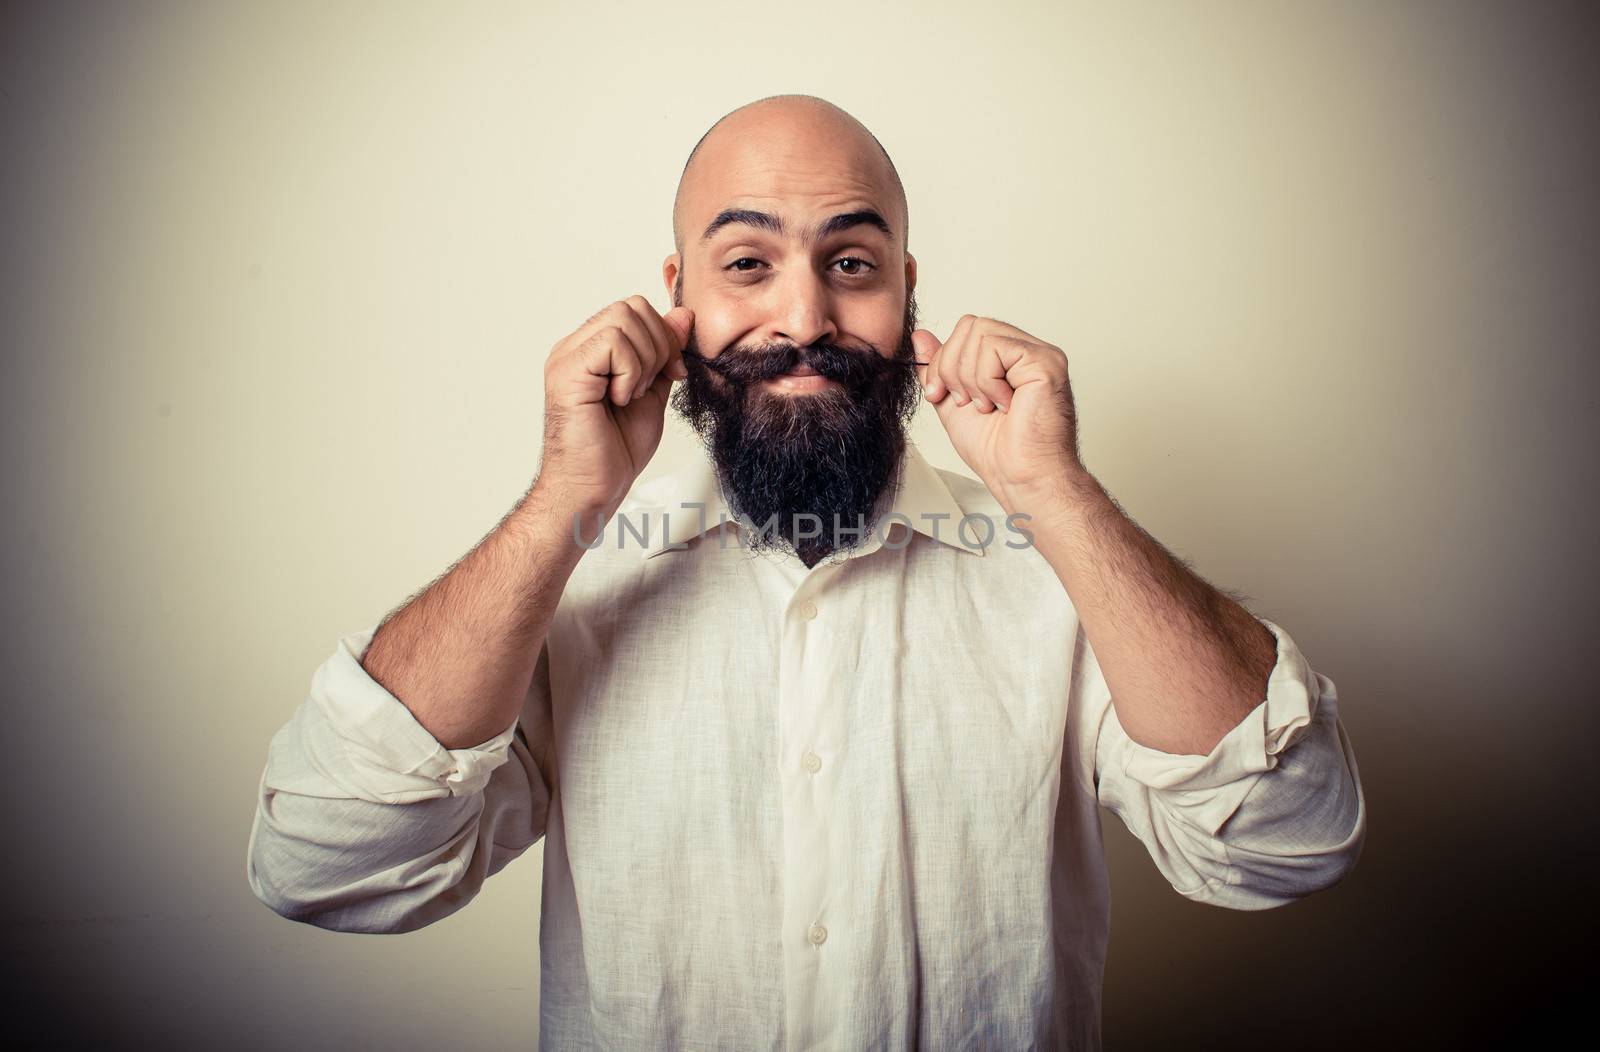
point(369, 824)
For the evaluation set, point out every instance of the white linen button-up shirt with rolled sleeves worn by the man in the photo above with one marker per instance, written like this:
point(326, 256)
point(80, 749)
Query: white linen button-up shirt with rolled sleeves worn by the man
point(844, 808)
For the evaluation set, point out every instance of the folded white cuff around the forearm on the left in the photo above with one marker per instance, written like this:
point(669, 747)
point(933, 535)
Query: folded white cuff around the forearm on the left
point(394, 755)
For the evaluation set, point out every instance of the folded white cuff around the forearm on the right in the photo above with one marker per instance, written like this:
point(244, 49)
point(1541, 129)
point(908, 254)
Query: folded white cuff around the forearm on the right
point(1209, 789)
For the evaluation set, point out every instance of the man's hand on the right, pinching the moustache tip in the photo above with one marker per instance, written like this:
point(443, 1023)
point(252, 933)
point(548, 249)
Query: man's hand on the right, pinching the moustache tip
point(1006, 402)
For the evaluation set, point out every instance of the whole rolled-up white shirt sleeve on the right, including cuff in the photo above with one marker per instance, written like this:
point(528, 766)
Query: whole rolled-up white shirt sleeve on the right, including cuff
point(1271, 815)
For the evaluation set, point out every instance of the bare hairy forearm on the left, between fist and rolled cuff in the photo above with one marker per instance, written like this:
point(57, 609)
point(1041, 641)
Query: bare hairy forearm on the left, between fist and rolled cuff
point(462, 655)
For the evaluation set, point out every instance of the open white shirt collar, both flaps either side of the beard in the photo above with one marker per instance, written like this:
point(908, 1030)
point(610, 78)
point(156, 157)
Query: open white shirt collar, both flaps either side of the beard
point(922, 500)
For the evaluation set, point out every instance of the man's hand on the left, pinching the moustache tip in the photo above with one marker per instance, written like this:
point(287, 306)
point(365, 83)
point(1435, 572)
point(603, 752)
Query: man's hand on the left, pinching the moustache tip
point(606, 399)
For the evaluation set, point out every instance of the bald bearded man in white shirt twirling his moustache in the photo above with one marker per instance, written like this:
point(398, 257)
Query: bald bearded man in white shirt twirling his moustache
point(815, 735)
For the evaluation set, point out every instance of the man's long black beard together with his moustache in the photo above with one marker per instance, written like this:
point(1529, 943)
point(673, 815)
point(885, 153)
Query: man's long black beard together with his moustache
point(814, 463)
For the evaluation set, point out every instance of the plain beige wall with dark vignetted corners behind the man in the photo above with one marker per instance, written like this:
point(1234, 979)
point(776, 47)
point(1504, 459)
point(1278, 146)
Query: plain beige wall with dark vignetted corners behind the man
point(281, 279)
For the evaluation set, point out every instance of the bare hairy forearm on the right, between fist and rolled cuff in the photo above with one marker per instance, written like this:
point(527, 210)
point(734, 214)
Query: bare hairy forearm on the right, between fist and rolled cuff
point(1183, 661)
